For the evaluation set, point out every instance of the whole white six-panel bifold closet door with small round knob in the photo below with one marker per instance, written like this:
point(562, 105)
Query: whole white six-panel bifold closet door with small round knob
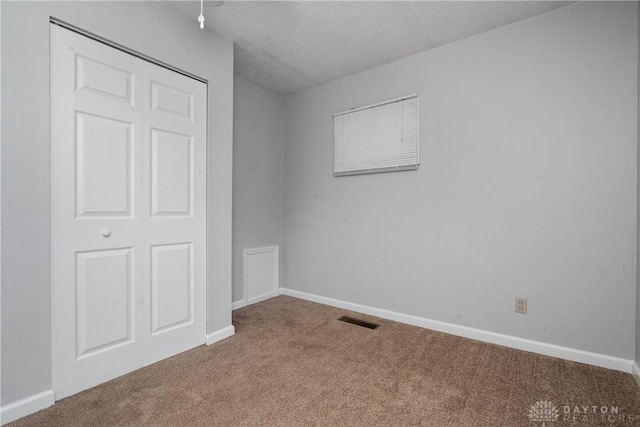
point(128, 212)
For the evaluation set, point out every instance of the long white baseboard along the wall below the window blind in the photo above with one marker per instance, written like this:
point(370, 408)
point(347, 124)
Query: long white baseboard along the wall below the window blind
point(546, 349)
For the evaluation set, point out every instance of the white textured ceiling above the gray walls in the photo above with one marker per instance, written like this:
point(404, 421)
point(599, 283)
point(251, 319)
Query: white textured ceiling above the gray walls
point(287, 46)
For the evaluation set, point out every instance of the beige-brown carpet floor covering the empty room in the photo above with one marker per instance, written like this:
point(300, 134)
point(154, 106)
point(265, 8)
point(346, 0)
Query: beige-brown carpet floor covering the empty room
point(291, 363)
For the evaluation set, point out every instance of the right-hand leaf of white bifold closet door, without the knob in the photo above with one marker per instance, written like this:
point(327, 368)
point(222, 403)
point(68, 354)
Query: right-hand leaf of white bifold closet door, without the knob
point(174, 209)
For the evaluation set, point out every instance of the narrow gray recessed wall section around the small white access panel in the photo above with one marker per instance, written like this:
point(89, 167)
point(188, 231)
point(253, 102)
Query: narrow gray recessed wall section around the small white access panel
point(257, 174)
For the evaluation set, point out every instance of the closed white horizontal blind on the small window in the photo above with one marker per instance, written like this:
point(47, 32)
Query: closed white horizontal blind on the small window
point(377, 138)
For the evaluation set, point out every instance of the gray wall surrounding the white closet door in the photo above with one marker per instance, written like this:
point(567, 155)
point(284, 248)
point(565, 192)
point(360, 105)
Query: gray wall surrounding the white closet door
point(151, 28)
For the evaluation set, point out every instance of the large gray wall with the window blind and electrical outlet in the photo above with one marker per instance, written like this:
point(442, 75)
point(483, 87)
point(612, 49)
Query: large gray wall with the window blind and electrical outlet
point(527, 185)
